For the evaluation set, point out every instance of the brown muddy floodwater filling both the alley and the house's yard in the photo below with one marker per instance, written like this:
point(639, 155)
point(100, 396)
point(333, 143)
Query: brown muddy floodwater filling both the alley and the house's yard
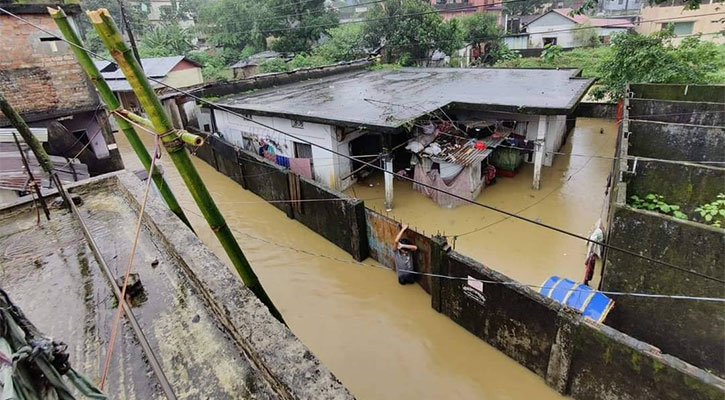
point(383, 340)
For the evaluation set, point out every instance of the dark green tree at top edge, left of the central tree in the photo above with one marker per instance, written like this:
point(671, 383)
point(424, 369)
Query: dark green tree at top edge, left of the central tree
point(298, 25)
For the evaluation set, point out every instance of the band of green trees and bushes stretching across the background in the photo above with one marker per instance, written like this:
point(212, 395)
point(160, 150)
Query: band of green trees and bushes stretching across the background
point(310, 31)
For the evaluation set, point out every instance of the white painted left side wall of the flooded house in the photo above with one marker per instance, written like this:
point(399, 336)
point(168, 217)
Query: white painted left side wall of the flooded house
point(328, 168)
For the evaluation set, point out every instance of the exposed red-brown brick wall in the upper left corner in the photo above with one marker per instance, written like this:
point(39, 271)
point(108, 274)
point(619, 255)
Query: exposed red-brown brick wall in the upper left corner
point(40, 77)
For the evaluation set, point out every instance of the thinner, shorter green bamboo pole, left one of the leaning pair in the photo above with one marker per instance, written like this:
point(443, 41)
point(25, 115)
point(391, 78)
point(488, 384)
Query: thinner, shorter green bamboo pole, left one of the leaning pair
point(113, 104)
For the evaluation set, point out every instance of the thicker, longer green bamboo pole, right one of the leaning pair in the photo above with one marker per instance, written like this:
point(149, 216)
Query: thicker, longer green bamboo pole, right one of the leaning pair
point(173, 143)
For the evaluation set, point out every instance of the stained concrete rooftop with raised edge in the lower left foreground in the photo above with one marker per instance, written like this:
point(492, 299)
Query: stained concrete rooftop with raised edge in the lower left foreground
point(213, 337)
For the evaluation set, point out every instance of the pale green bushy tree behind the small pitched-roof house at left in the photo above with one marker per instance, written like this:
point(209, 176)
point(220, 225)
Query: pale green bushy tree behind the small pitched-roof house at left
point(166, 40)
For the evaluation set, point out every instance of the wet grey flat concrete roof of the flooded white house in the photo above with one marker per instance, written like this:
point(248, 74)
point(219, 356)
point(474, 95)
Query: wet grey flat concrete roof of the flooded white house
point(359, 98)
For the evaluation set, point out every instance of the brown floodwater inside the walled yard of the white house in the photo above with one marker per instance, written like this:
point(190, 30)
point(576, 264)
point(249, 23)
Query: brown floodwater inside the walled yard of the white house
point(571, 198)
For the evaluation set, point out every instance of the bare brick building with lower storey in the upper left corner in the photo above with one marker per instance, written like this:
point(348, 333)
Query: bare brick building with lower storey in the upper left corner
point(41, 79)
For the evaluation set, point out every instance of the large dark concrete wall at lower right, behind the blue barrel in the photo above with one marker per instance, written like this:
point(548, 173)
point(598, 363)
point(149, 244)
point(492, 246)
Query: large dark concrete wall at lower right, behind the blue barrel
point(691, 330)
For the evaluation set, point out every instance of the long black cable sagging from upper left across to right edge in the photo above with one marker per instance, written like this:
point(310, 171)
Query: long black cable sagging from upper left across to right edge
point(302, 140)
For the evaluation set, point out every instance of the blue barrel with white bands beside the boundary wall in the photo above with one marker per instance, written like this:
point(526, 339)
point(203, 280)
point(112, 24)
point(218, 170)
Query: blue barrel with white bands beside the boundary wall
point(591, 303)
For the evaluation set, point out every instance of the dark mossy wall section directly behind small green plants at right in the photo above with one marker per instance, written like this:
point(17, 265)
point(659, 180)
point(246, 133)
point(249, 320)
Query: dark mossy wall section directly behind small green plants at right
point(686, 185)
